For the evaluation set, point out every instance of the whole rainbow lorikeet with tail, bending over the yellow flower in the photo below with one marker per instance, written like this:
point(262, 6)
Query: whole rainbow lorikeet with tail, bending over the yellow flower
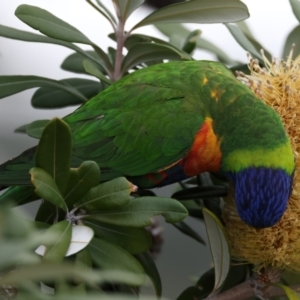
point(171, 121)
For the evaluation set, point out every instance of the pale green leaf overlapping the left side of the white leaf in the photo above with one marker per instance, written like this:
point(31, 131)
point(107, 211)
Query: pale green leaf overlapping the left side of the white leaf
point(57, 249)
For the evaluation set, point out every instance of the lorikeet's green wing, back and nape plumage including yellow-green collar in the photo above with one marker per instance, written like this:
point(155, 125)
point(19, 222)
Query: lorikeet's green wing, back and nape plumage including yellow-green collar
point(148, 120)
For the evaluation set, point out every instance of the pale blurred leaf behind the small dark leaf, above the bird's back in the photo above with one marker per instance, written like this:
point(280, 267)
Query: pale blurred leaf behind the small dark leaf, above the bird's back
point(201, 43)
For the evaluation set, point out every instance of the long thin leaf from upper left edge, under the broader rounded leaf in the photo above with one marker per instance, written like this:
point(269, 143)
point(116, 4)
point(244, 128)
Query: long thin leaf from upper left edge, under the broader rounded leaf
point(22, 35)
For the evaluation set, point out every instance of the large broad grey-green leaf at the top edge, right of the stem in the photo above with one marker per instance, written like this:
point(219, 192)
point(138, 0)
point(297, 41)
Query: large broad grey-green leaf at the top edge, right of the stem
point(198, 11)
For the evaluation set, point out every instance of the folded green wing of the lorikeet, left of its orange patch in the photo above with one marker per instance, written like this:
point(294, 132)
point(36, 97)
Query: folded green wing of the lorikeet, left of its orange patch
point(140, 124)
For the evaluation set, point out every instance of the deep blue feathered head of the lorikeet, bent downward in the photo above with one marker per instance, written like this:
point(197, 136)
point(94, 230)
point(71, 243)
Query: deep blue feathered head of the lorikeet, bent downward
point(261, 195)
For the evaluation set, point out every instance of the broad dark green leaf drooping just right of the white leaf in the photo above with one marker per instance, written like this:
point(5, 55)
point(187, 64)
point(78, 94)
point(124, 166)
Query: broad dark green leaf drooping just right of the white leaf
point(111, 257)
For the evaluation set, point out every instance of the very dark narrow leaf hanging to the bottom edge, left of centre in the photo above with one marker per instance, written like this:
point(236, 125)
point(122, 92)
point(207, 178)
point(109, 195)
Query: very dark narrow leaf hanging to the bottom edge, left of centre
point(150, 268)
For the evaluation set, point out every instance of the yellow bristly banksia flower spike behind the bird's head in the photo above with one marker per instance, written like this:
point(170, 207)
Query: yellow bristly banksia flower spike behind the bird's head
point(278, 85)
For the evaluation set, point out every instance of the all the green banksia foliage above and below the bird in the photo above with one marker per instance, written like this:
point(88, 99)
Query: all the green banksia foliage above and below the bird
point(82, 226)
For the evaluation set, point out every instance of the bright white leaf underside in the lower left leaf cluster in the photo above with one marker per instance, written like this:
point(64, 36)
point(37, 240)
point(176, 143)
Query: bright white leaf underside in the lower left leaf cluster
point(81, 237)
